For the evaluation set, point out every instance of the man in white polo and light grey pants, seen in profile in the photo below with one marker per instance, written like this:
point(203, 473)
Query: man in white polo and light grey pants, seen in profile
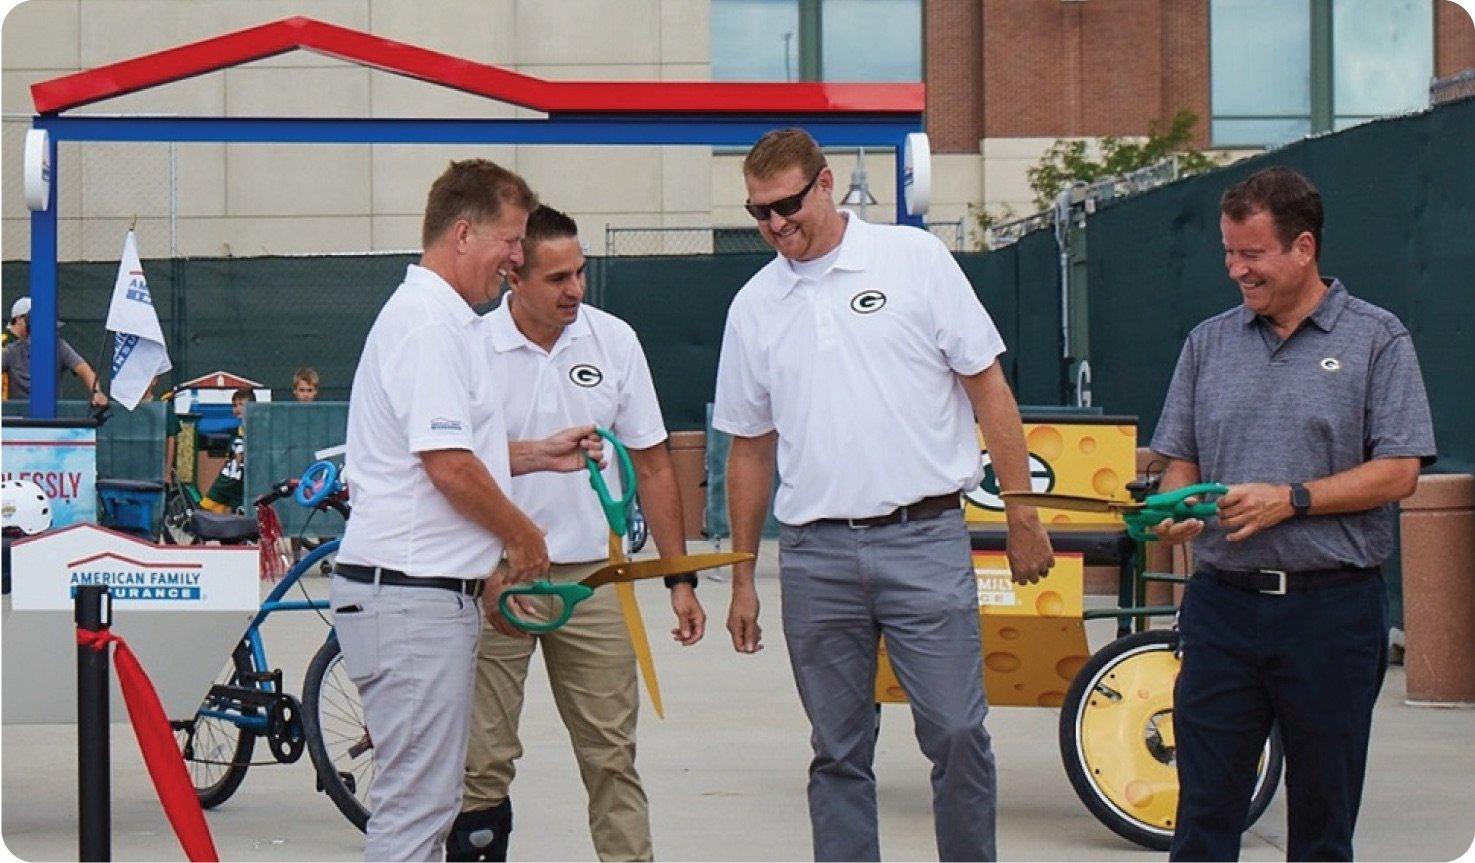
point(428, 455)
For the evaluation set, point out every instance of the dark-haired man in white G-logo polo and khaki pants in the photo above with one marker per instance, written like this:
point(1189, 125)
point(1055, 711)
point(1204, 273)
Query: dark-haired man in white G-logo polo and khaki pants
point(564, 364)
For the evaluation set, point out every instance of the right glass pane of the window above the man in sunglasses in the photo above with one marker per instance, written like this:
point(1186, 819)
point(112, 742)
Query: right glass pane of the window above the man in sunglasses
point(872, 41)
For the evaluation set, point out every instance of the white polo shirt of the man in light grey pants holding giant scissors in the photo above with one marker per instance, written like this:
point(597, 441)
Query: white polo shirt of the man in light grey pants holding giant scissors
point(423, 384)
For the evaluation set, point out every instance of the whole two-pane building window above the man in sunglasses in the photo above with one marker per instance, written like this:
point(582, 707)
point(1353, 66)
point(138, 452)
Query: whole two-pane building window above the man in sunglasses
point(816, 41)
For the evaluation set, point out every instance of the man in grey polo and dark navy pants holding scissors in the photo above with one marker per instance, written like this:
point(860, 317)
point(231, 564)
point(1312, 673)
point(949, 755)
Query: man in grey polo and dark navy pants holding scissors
point(1309, 403)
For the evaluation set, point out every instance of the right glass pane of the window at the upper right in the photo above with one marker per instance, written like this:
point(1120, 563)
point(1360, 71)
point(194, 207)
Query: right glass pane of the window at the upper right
point(1383, 55)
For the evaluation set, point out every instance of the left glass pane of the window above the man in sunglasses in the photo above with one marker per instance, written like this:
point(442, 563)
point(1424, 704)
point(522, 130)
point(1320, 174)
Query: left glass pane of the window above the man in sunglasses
point(756, 41)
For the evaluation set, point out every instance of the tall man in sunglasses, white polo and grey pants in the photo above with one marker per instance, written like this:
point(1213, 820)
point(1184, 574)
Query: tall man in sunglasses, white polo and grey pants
point(858, 362)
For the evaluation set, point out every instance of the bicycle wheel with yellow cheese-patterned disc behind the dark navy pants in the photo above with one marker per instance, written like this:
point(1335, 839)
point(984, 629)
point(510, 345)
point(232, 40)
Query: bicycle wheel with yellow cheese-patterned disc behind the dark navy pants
point(1119, 746)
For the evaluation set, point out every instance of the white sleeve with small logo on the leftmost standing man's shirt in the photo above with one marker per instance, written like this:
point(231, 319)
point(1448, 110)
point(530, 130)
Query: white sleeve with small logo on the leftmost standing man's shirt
point(428, 387)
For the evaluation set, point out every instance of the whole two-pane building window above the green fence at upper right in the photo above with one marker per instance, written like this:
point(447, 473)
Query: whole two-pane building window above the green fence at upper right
point(1284, 69)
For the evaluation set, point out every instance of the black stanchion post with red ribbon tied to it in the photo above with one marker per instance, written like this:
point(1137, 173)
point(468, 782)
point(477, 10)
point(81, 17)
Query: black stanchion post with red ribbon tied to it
point(94, 613)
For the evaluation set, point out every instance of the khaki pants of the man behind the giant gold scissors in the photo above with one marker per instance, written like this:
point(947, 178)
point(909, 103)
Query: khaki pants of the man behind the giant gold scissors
point(592, 670)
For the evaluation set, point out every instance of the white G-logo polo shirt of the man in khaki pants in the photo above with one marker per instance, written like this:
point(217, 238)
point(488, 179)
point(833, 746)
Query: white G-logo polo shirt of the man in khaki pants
point(597, 374)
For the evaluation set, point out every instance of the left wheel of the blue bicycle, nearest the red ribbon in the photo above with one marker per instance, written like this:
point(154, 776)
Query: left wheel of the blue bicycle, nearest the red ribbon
point(216, 750)
